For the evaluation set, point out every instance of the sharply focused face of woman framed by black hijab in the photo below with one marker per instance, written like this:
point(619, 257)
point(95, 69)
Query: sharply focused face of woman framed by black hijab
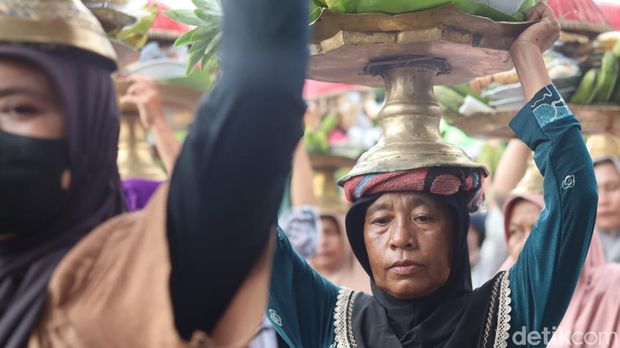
point(408, 238)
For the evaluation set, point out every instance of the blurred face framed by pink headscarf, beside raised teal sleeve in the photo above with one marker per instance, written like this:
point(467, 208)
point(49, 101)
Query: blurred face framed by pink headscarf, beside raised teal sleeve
point(522, 220)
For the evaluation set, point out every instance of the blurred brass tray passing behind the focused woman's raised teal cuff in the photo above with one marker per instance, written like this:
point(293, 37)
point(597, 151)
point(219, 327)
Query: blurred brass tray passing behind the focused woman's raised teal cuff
point(595, 119)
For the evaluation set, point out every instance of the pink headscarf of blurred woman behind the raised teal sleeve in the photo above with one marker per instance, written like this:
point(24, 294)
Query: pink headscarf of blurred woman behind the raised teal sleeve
point(595, 307)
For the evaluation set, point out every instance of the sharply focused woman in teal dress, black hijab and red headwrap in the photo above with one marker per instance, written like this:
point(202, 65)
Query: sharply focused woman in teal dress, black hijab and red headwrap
point(409, 231)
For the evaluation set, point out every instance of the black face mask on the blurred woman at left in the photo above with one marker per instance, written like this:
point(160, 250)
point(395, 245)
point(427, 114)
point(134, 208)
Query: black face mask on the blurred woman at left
point(31, 195)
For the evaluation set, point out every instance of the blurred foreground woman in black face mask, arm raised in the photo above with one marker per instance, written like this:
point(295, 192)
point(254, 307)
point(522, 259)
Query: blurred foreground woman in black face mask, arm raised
point(74, 271)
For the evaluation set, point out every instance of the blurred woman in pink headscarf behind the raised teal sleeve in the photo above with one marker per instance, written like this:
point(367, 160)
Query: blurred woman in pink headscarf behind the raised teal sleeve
point(594, 311)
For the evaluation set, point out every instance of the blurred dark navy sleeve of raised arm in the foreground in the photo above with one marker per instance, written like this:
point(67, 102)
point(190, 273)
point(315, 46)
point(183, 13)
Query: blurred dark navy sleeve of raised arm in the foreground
point(229, 178)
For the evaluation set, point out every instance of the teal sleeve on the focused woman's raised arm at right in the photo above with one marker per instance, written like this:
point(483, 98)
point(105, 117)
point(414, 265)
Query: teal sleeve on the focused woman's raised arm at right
point(545, 275)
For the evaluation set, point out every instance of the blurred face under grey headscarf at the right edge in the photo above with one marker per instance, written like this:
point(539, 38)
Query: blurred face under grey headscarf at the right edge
point(608, 213)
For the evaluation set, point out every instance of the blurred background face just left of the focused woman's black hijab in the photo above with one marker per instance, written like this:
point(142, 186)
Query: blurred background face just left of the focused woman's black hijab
point(329, 256)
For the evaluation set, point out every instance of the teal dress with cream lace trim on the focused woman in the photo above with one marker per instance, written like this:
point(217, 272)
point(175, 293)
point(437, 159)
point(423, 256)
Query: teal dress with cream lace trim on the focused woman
point(532, 297)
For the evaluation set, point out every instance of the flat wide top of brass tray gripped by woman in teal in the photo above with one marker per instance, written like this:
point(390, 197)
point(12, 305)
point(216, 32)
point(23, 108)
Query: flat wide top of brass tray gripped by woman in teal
point(343, 45)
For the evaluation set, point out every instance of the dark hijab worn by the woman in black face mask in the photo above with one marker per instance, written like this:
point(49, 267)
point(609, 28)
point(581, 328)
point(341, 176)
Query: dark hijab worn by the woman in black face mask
point(88, 100)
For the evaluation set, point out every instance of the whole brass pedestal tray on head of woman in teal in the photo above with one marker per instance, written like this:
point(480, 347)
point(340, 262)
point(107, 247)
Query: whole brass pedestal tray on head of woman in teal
point(407, 54)
